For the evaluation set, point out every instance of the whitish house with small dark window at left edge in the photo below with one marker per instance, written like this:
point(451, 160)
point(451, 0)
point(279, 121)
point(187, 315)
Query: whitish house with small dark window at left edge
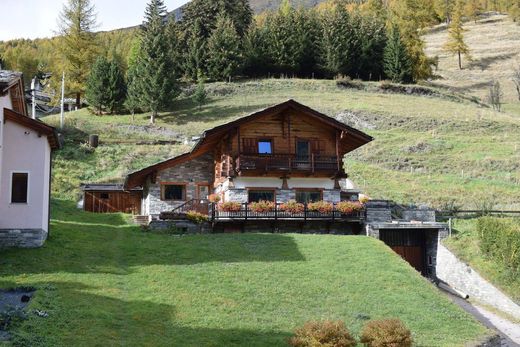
point(25, 168)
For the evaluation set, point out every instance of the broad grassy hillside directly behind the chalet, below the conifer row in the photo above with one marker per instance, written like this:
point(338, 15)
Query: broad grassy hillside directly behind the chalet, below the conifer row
point(434, 150)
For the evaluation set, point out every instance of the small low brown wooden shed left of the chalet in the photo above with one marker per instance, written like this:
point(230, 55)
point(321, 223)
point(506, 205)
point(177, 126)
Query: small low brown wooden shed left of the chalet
point(111, 198)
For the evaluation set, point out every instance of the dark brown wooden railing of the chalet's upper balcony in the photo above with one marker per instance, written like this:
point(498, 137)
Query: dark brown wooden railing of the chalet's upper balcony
point(287, 162)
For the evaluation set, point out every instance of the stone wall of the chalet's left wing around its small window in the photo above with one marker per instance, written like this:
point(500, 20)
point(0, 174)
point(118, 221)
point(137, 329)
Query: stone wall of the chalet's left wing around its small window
point(198, 170)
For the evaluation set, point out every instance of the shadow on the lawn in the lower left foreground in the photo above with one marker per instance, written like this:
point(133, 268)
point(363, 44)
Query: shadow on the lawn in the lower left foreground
point(78, 317)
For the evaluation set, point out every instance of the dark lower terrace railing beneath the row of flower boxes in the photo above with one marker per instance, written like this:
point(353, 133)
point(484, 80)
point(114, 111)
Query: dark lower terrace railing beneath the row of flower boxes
point(245, 213)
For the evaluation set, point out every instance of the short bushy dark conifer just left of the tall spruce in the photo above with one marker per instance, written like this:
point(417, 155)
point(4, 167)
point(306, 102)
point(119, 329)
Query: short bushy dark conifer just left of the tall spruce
point(97, 84)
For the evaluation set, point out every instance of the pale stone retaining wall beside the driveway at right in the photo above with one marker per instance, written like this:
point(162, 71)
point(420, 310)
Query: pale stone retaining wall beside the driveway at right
point(462, 277)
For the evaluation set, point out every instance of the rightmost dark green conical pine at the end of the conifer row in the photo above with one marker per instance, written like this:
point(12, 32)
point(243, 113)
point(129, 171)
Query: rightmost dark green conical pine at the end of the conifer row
point(397, 65)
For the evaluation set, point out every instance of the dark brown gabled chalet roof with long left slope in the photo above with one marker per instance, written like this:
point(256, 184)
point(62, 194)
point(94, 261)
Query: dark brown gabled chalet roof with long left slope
point(211, 137)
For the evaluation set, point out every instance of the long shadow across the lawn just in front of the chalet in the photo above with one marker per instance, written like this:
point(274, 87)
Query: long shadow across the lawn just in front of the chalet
point(82, 242)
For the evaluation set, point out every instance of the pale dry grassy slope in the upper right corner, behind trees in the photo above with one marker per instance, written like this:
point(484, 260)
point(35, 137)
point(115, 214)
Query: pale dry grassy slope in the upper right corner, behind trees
point(495, 48)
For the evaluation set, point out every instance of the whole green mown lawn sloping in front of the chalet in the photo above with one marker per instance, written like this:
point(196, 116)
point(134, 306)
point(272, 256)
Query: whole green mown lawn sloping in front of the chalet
point(104, 283)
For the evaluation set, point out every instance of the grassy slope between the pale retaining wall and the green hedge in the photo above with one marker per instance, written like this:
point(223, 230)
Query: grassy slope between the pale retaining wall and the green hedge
point(465, 244)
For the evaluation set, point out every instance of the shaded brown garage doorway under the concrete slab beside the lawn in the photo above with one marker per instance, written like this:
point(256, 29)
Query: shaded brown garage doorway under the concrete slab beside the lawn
point(410, 244)
